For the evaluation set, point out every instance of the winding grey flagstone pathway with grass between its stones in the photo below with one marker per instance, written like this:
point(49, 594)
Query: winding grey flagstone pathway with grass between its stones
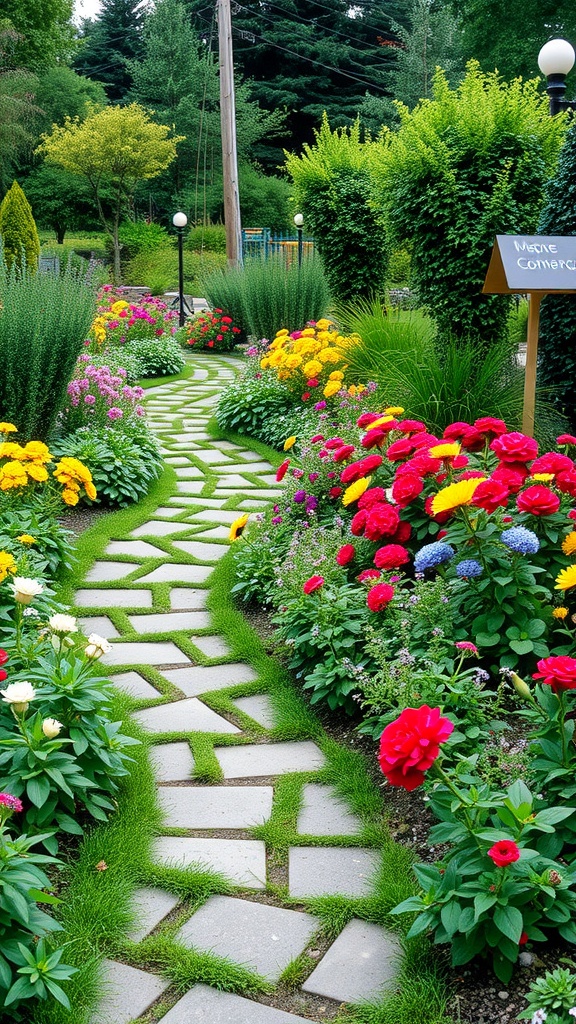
point(148, 595)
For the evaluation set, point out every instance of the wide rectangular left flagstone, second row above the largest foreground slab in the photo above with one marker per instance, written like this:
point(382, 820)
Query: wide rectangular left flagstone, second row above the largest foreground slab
point(216, 806)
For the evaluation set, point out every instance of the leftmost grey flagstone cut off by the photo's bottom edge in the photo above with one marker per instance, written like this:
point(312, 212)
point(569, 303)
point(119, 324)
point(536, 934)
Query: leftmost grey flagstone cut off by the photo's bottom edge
point(129, 994)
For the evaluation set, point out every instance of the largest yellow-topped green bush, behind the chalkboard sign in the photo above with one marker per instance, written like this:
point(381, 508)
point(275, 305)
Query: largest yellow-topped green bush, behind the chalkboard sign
point(465, 166)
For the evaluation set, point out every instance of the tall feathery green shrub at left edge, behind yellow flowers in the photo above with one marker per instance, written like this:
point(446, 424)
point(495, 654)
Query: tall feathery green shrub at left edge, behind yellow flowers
point(44, 324)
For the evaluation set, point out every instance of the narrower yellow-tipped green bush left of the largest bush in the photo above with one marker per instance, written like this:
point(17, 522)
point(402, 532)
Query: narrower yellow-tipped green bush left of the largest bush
point(333, 188)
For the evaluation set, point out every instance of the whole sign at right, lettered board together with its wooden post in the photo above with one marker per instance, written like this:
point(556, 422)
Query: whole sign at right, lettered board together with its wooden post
point(536, 266)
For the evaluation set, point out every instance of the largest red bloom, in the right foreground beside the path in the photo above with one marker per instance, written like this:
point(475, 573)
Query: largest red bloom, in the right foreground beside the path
point(410, 746)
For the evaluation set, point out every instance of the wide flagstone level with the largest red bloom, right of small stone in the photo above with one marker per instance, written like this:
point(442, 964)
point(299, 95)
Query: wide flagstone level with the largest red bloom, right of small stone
point(253, 760)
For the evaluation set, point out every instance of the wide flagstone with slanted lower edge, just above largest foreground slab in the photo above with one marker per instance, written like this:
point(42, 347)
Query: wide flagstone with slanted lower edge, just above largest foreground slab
point(241, 861)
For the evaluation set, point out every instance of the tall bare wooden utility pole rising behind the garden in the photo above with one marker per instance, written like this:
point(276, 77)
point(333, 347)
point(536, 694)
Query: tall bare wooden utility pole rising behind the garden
point(228, 122)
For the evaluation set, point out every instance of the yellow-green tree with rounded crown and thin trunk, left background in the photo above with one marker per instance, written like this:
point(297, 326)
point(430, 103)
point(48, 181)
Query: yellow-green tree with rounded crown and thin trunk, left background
point(114, 150)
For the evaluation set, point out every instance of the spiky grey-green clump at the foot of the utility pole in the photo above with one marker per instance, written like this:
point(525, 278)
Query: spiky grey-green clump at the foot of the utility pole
point(264, 296)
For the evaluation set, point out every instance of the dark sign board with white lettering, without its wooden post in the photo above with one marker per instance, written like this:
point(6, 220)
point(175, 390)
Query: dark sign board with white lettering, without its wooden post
point(524, 264)
